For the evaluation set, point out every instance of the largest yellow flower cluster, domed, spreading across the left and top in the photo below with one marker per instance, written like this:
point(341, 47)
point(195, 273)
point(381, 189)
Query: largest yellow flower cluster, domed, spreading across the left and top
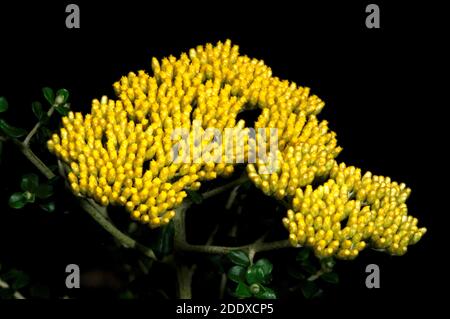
point(122, 152)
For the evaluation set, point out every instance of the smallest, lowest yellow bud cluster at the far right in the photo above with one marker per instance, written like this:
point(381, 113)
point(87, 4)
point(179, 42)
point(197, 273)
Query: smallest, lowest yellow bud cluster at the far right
point(340, 216)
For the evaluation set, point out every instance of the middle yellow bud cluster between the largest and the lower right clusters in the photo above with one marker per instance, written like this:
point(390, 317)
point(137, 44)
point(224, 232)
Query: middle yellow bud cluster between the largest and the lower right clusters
point(306, 152)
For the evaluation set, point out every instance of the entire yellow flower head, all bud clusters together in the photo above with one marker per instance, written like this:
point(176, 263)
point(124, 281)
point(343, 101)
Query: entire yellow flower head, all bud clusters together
point(124, 151)
